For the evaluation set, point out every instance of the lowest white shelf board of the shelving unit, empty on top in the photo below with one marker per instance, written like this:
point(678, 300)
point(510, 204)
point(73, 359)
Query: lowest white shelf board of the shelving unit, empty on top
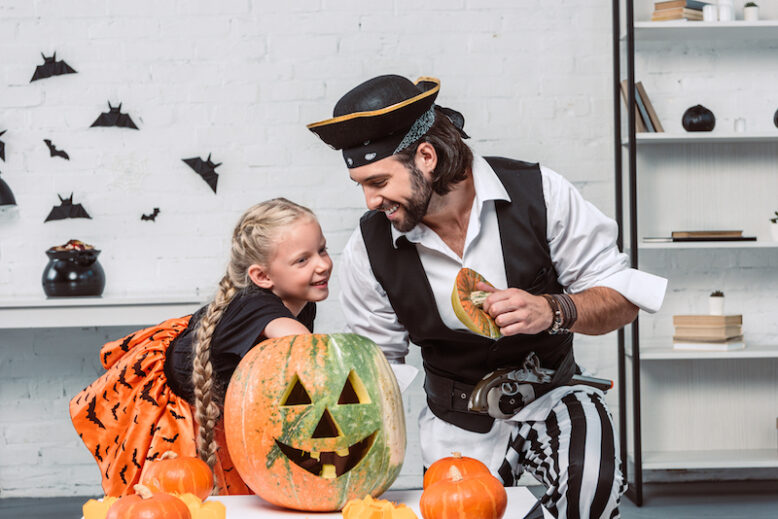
point(716, 459)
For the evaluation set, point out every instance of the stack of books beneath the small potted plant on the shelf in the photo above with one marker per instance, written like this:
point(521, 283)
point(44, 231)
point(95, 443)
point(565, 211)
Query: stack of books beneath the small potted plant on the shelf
point(708, 332)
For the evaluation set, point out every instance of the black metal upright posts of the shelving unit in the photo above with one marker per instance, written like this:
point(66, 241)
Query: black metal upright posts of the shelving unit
point(634, 486)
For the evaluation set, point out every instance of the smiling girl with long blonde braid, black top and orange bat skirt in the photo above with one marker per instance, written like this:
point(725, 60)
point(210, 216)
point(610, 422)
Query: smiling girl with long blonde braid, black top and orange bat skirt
point(159, 378)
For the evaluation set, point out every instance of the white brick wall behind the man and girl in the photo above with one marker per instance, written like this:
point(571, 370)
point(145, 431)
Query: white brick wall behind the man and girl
point(240, 79)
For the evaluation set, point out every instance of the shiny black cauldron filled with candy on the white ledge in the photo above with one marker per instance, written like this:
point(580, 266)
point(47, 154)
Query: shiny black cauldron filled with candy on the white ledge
point(73, 273)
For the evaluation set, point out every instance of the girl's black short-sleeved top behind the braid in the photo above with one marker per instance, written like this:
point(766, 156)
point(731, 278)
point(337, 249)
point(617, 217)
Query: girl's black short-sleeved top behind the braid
point(241, 327)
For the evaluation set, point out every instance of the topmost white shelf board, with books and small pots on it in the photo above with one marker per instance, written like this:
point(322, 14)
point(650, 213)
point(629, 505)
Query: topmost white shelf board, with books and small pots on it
point(678, 31)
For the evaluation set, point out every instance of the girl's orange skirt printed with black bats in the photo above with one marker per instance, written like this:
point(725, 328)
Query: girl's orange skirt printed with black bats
point(129, 415)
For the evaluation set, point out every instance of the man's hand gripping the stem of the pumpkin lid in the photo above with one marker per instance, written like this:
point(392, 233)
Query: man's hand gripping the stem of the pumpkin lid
point(516, 311)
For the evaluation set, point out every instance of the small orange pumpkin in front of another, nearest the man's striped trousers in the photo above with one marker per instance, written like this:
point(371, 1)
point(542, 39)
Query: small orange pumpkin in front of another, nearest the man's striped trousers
point(478, 496)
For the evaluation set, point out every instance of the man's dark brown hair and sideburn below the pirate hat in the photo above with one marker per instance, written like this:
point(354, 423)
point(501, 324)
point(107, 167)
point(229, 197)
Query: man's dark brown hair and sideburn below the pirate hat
point(454, 156)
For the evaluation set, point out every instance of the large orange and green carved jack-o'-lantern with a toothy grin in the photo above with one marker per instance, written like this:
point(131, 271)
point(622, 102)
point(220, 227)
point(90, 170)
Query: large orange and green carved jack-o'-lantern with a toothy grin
point(315, 420)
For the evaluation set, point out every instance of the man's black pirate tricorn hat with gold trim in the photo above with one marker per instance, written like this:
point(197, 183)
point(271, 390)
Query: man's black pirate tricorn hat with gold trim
point(371, 120)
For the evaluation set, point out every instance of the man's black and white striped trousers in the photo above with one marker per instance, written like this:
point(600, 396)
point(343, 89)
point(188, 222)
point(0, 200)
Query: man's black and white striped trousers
point(573, 453)
